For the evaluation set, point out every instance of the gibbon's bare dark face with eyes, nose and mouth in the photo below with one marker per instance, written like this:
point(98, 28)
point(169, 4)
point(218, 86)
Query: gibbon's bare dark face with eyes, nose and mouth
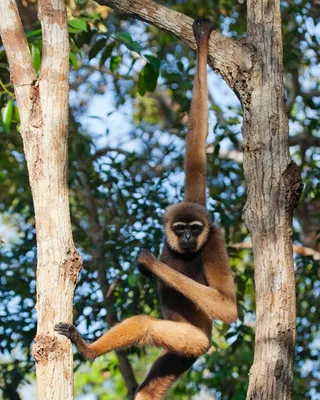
point(187, 234)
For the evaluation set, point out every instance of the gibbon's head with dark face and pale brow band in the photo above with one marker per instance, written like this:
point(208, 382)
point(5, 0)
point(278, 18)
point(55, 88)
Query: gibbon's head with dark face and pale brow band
point(187, 226)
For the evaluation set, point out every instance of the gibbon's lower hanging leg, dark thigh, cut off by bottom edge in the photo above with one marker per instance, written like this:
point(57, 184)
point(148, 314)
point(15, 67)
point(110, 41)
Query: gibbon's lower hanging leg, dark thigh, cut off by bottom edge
point(162, 375)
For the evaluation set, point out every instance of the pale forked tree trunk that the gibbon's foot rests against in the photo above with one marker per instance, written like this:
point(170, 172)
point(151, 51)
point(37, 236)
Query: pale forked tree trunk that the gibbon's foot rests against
point(43, 106)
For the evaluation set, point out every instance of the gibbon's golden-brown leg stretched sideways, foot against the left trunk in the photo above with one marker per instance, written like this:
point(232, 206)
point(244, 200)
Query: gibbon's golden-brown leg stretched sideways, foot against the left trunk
point(178, 337)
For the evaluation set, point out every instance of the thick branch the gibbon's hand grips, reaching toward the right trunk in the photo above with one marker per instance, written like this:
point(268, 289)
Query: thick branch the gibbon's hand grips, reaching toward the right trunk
point(226, 56)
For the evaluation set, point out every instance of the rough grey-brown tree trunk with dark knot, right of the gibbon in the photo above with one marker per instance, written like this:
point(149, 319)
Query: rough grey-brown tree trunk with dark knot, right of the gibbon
point(274, 187)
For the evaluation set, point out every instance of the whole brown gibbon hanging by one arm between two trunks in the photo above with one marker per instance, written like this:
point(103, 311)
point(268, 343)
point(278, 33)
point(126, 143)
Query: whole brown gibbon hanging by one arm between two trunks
point(194, 278)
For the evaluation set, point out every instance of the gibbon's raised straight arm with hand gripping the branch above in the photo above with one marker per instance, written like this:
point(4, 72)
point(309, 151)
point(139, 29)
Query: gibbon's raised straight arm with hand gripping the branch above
point(195, 157)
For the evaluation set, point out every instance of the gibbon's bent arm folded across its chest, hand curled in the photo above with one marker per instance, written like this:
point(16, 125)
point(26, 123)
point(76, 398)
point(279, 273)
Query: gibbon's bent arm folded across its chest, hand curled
point(217, 302)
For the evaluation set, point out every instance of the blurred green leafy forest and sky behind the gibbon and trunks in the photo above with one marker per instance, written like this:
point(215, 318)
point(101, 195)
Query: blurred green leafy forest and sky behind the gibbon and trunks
point(130, 94)
